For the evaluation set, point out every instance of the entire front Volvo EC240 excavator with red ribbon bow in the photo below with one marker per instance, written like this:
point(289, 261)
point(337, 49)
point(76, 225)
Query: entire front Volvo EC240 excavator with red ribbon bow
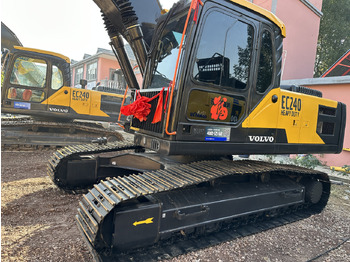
point(211, 90)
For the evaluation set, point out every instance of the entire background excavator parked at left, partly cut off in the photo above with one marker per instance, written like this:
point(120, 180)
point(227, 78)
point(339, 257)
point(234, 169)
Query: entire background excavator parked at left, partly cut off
point(36, 83)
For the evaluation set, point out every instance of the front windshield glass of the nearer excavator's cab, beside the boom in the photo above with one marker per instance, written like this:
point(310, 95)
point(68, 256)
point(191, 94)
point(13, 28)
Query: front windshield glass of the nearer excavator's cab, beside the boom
point(164, 61)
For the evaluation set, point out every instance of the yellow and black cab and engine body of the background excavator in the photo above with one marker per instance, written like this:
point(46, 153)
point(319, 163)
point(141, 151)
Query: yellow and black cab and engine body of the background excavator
point(37, 83)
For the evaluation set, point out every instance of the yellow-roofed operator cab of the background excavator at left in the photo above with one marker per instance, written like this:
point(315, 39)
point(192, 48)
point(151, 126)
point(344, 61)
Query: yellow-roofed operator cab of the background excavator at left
point(30, 77)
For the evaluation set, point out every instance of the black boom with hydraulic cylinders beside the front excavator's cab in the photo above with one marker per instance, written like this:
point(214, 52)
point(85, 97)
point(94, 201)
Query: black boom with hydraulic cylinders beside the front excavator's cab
point(123, 21)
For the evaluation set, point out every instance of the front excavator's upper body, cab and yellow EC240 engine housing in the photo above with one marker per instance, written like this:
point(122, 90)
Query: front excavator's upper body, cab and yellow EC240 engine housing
point(226, 97)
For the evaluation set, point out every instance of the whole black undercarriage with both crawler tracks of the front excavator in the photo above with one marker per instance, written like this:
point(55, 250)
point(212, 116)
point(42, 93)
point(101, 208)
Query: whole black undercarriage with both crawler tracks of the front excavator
point(153, 198)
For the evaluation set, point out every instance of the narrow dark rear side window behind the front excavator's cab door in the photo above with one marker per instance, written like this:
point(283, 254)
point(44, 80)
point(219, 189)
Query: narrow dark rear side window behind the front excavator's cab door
point(265, 70)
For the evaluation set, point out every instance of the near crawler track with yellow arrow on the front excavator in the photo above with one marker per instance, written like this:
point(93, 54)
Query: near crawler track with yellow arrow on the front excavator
point(137, 210)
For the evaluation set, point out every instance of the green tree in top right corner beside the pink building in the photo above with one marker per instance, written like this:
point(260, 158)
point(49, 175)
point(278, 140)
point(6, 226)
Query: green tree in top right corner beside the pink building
point(334, 35)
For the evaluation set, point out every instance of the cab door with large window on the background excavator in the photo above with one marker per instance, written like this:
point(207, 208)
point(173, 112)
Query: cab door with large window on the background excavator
point(26, 85)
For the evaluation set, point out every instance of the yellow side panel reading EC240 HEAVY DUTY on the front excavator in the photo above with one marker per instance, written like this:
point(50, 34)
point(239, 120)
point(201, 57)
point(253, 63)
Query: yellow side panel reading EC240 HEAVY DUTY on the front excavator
point(296, 113)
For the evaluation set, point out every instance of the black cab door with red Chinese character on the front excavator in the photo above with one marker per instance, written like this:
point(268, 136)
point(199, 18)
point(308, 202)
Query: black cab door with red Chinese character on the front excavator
point(218, 86)
